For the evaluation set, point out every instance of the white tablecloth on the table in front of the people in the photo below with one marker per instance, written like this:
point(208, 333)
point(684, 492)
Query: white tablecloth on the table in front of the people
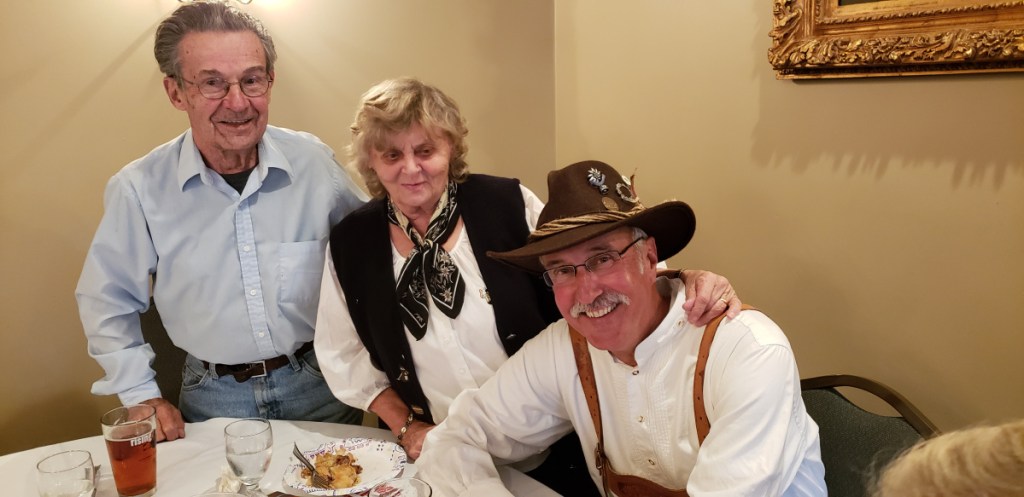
point(190, 467)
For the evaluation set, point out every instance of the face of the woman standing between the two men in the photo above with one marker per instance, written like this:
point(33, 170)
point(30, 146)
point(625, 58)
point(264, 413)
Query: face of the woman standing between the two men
point(413, 168)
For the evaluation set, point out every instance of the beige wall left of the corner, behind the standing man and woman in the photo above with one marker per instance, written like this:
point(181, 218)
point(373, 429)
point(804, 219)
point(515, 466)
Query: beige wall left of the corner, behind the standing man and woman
point(80, 97)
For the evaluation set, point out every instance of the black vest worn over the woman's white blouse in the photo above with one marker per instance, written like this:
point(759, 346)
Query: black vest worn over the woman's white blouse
point(493, 214)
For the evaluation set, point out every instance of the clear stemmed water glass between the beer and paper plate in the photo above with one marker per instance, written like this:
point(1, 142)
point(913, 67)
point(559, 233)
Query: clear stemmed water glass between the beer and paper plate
point(249, 444)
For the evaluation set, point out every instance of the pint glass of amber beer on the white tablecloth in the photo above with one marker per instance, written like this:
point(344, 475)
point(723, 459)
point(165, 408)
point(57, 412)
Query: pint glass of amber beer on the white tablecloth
point(131, 433)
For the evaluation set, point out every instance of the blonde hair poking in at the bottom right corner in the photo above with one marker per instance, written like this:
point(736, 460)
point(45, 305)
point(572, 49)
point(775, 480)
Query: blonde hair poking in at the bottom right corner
point(984, 462)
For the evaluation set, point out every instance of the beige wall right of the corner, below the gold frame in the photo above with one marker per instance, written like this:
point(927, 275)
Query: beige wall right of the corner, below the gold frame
point(881, 223)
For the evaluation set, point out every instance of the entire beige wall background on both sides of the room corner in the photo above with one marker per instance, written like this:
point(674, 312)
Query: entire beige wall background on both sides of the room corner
point(880, 223)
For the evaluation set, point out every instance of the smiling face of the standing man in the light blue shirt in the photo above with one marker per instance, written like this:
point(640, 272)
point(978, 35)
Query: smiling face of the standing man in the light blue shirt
point(226, 131)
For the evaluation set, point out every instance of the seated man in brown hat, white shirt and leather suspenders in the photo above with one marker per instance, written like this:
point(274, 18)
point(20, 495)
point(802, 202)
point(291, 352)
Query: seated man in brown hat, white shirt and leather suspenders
point(662, 407)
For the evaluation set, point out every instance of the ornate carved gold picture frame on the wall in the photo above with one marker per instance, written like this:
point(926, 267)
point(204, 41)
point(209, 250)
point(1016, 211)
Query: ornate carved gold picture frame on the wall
point(814, 39)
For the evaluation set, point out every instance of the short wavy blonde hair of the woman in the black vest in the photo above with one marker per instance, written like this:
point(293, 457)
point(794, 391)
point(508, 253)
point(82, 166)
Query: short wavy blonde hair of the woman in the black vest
point(394, 106)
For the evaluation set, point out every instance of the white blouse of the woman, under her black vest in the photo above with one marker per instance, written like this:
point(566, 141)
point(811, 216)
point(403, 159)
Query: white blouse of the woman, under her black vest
point(454, 356)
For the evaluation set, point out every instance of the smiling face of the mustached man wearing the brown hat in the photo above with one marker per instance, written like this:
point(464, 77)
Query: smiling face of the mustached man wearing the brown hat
point(619, 309)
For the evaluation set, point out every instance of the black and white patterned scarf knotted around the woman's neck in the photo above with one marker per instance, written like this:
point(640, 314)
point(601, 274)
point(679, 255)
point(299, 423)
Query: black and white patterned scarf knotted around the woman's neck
point(430, 270)
